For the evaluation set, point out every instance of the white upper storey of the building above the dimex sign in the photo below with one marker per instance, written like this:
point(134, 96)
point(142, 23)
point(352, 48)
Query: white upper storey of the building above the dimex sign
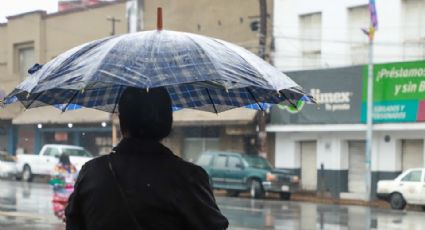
point(320, 34)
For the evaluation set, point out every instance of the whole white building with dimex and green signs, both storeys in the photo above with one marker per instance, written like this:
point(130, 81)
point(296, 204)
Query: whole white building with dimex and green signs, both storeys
point(325, 34)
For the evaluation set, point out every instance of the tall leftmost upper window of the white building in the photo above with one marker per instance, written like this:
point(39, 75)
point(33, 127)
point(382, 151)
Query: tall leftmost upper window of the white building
point(311, 36)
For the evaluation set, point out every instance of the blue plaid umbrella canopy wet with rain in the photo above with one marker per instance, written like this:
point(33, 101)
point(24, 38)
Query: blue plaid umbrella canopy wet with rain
point(199, 72)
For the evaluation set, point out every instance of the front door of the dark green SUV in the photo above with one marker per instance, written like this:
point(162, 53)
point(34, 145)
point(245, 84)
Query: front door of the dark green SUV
point(235, 173)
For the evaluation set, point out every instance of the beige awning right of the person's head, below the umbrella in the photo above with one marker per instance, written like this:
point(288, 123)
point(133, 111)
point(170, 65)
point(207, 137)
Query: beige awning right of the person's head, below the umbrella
point(239, 116)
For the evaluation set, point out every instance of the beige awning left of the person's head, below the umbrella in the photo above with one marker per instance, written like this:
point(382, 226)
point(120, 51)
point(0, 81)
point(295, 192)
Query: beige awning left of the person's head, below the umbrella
point(51, 115)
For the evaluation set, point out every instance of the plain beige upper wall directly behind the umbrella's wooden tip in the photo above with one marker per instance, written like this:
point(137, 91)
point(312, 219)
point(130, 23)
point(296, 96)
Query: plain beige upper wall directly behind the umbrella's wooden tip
point(225, 19)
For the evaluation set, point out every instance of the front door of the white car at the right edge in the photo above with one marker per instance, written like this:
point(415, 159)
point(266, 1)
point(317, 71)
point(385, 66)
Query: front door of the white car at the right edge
point(411, 185)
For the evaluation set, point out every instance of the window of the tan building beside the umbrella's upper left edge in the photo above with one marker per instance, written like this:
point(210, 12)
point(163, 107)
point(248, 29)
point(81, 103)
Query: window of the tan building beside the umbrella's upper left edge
point(25, 59)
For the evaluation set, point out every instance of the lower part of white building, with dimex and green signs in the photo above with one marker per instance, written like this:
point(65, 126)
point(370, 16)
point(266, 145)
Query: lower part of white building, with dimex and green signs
point(325, 143)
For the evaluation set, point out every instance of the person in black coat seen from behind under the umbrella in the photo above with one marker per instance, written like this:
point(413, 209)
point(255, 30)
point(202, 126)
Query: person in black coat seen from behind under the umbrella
point(142, 184)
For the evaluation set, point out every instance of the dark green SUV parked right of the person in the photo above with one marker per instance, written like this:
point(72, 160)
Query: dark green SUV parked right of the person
point(235, 173)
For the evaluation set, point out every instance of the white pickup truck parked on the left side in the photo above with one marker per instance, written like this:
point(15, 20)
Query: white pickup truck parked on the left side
point(43, 164)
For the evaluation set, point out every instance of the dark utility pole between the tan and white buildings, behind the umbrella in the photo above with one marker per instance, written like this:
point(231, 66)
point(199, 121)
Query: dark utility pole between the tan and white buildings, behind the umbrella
point(261, 116)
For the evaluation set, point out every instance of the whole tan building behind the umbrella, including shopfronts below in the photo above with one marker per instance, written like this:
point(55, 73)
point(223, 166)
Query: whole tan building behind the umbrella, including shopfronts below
point(37, 37)
